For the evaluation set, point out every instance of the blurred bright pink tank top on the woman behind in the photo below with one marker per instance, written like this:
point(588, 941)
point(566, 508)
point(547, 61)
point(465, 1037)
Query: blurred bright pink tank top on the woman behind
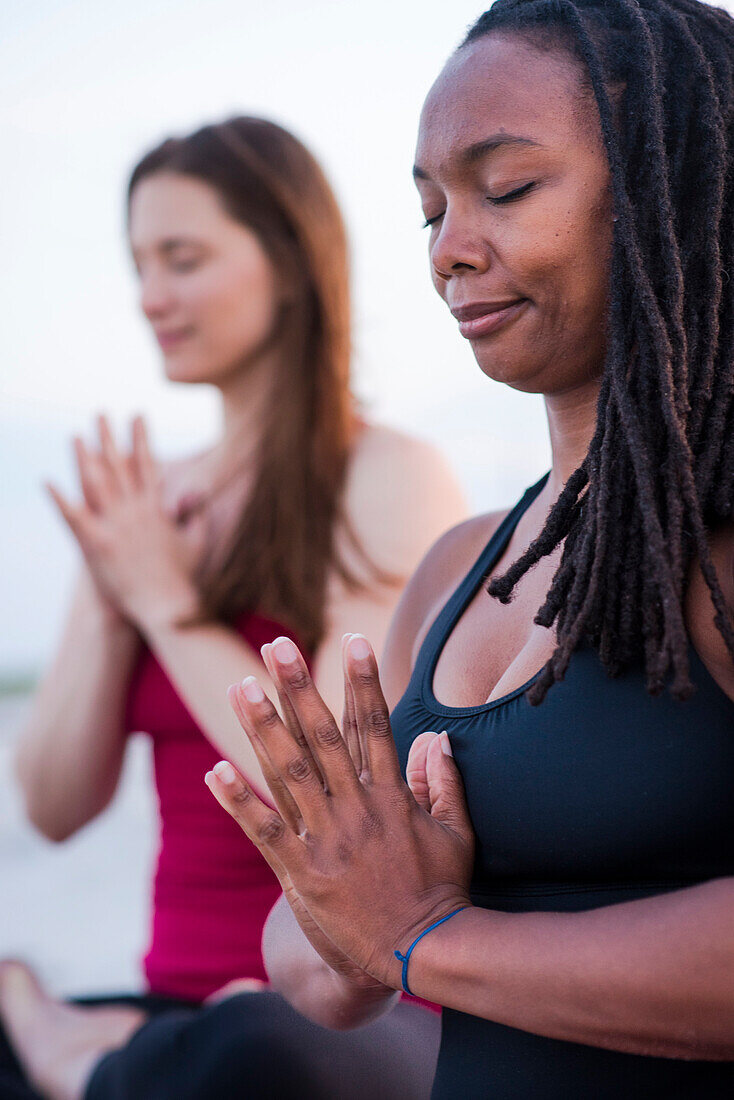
point(213, 890)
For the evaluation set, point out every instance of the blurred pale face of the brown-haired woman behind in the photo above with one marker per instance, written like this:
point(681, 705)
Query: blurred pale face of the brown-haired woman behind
point(207, 287)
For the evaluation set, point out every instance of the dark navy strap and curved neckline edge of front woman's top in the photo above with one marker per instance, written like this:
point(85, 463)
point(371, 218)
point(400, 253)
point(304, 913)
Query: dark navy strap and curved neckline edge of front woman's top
point(472, 582)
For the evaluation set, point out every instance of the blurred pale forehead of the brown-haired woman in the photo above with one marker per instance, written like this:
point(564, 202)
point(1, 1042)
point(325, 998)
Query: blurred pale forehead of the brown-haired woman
point(166, 204)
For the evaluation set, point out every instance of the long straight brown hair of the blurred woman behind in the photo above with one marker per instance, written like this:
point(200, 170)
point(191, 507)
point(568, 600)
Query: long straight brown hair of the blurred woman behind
point(283, 546)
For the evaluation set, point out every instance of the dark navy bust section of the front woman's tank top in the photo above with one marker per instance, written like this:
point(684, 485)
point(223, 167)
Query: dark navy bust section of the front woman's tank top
point(600, 785)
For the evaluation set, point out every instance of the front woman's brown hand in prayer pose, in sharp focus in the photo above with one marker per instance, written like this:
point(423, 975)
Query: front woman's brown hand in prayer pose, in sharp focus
point(371, 865)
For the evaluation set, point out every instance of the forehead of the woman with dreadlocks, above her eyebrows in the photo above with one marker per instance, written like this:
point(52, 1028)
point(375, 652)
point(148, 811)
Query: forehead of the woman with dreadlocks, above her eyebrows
point(502, 84)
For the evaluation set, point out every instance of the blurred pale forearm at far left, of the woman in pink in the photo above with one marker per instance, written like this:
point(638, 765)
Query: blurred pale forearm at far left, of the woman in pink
point(71, 751)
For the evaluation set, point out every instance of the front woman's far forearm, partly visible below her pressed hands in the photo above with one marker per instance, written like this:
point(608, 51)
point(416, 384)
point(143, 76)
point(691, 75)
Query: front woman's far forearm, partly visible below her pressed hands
point(300, 974)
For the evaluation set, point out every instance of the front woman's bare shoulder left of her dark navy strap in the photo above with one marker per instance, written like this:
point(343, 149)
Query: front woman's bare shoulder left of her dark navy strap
point(440, 574)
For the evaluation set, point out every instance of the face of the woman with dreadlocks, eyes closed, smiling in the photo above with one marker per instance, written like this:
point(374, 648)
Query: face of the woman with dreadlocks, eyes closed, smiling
point(514, 184)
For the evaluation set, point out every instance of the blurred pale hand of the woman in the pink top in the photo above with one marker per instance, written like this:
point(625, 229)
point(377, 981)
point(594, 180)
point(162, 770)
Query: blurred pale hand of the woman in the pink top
point(140, 559)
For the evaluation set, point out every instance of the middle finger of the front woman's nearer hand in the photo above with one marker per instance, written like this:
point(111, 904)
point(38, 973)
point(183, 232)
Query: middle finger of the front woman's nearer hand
point(323, 734)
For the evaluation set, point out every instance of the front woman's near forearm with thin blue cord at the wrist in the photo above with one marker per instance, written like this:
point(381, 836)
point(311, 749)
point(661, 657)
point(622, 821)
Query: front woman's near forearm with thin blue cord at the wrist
point(653, 977)
